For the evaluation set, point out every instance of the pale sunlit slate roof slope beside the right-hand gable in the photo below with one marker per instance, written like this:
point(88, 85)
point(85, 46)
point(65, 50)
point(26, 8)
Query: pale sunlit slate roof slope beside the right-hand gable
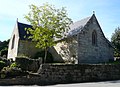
point(77, 26)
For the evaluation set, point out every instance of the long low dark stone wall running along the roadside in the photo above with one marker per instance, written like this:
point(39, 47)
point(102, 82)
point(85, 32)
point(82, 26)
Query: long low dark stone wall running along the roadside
point(56, 74)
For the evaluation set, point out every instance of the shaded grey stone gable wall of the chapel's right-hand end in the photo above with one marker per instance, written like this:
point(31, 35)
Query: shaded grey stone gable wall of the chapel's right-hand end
point(88, 53)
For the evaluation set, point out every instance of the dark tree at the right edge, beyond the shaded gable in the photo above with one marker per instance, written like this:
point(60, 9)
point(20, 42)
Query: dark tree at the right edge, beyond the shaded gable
point(115, 39)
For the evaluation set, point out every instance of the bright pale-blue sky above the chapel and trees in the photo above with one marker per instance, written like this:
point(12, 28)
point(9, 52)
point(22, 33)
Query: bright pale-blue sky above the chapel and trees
point(106, 11)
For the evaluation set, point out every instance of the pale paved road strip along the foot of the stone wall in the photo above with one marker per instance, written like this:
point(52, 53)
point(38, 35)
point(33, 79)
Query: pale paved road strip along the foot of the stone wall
point(90, 84)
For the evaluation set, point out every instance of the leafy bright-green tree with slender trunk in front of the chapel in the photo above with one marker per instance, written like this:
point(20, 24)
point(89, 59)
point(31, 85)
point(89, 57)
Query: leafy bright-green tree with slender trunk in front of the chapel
point(49, 24)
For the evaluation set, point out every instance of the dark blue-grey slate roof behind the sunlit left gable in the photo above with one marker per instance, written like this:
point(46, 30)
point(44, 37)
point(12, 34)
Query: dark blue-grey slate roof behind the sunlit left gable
point(22, 31)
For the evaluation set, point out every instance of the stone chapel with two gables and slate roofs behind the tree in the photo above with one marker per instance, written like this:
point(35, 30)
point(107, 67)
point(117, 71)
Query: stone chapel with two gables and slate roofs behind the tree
point(85, 43)
